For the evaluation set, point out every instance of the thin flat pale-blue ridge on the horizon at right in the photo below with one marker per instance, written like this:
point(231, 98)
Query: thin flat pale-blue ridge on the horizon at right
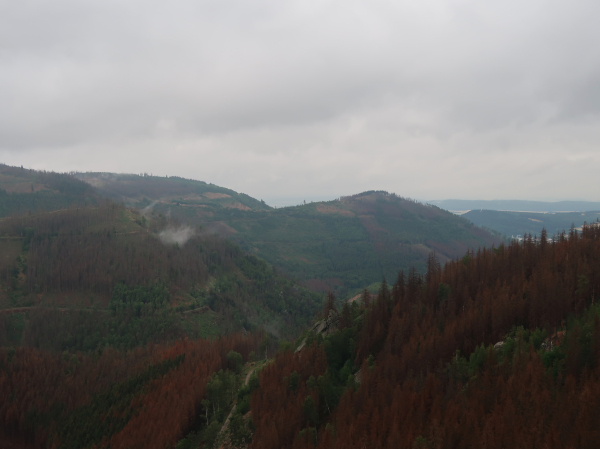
point(517, 205)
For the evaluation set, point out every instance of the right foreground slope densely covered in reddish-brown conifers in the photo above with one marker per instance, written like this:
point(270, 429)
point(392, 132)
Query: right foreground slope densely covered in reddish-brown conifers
point(499, 349)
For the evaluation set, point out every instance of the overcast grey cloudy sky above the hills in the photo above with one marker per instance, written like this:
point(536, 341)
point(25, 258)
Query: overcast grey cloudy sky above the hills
point(289, 100)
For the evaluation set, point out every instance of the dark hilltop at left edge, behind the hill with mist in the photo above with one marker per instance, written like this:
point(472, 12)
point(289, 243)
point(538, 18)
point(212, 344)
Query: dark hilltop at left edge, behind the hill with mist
point(24, 191)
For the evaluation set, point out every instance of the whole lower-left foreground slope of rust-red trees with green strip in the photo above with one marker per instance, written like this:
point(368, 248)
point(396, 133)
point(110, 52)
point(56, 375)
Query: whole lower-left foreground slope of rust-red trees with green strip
point(147, 398)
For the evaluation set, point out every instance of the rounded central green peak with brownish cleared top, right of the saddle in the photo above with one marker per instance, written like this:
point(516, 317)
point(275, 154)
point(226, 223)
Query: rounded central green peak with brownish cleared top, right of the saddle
point(346, 244)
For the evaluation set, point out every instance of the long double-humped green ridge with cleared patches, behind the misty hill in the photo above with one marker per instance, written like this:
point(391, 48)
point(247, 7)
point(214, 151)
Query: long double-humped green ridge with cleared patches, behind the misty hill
point(339, 245)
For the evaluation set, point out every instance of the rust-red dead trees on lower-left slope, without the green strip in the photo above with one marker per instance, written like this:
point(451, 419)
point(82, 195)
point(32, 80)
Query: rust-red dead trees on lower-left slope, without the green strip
point(32, 380)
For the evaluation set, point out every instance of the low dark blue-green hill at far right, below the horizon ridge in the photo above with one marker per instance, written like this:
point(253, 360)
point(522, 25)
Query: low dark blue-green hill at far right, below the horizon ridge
point(521, 223)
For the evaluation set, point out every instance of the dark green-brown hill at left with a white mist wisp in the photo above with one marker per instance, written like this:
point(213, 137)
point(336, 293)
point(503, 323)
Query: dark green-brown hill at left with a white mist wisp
point(147, 274)
